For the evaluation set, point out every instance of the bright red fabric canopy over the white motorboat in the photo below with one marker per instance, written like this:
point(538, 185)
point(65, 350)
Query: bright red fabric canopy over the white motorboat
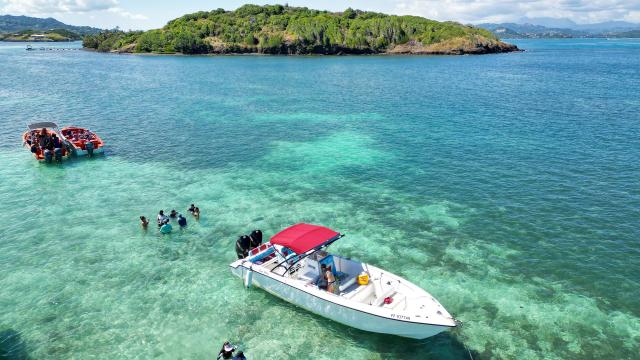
point(303, 237)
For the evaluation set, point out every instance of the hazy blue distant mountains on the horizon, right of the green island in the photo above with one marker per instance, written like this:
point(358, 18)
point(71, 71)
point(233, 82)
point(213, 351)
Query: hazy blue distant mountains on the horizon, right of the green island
point(535, 31)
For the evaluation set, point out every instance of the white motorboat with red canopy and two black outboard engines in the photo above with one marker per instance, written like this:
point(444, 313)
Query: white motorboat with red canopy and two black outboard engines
point(366, 297)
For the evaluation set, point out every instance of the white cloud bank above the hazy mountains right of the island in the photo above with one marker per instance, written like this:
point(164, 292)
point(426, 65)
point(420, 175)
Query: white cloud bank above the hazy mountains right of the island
point(474, 11)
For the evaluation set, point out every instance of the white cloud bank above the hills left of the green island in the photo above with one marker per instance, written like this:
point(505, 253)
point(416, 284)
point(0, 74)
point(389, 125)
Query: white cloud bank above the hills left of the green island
point(53, 7)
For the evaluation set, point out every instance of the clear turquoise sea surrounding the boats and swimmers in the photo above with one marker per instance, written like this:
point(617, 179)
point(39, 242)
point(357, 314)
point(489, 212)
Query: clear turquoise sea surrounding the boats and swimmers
point(507, 185)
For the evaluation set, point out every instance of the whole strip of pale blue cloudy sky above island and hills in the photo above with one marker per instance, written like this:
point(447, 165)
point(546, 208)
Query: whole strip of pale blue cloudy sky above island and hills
point(147, 14)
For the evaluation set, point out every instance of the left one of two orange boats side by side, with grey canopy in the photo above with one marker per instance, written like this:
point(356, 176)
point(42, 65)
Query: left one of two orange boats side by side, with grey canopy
point(41, 137)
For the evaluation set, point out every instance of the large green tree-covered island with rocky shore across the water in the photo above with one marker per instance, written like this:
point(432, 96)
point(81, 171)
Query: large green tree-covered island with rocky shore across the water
point(281, 29)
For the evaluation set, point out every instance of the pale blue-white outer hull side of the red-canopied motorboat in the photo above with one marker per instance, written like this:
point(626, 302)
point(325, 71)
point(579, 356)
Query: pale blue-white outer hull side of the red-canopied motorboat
point(346, 315)
